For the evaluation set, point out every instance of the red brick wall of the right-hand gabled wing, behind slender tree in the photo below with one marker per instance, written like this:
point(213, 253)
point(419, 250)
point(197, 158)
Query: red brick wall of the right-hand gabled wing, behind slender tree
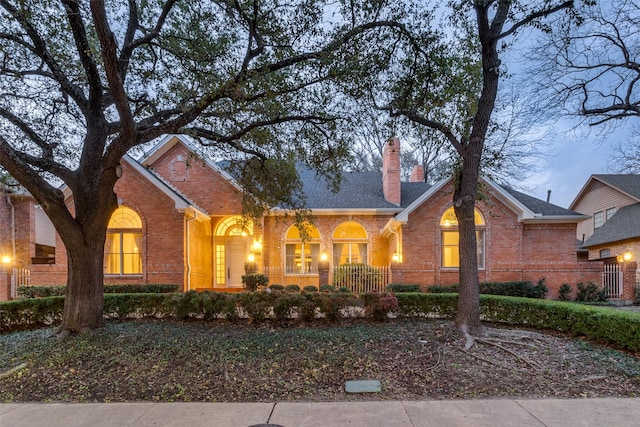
point(513, 250)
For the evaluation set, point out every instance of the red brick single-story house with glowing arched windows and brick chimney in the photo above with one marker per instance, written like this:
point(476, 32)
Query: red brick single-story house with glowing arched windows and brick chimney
point(179, 221)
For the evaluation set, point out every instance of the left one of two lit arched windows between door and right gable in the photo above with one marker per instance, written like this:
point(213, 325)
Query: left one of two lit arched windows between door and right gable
point(302, 257)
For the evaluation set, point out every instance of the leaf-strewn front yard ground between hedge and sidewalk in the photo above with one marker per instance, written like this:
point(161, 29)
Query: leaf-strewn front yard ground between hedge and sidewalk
point(219, 361)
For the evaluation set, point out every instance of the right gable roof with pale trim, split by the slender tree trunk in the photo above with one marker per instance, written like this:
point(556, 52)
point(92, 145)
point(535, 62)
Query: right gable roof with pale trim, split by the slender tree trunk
point(528, 209)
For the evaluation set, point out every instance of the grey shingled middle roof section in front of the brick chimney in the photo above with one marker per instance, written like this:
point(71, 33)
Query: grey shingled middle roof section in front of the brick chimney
point(358, 191)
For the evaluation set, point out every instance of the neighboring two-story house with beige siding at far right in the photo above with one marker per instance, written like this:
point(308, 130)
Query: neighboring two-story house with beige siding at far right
point(612, 232)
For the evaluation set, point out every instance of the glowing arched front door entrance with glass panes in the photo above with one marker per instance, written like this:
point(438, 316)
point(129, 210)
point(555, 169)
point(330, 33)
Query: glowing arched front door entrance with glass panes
point(232, 240)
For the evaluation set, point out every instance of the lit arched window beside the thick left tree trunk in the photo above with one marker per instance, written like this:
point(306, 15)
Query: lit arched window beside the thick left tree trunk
point(124, 242)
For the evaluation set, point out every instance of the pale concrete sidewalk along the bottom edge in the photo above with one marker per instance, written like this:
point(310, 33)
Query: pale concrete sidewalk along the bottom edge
point(491, 413)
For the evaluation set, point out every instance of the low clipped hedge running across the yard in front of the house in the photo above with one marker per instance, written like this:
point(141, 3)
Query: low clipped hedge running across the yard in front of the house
point(616, 327)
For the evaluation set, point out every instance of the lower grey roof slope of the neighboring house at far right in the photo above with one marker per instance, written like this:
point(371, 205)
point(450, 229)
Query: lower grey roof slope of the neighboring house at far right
point(623, 225)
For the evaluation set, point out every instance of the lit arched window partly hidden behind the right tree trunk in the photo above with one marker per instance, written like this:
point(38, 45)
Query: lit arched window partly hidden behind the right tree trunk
point(451, 238)
